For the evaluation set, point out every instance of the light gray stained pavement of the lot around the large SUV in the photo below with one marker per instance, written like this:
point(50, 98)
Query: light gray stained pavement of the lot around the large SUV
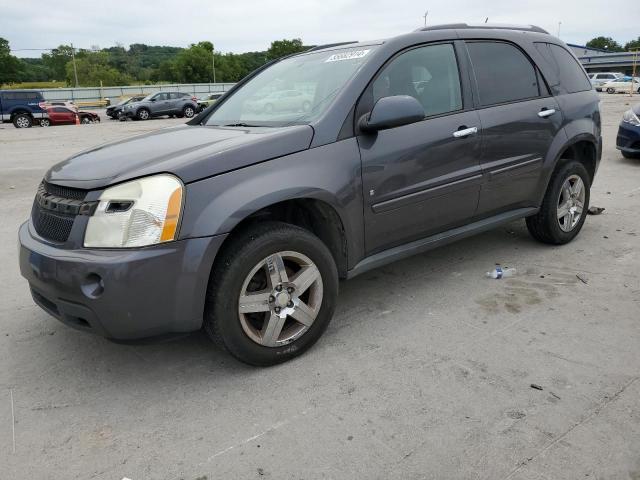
point(424, 373)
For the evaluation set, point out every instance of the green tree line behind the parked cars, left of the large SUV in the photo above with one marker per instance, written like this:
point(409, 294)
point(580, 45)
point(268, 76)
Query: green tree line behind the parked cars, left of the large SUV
point(139, 63)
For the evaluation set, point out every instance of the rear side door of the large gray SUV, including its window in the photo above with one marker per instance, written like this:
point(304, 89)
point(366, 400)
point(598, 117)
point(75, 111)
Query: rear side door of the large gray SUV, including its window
point(519, 119)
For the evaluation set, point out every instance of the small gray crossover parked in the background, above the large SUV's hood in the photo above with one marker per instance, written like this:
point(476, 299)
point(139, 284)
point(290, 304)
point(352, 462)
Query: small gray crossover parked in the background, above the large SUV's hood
point(163, 103)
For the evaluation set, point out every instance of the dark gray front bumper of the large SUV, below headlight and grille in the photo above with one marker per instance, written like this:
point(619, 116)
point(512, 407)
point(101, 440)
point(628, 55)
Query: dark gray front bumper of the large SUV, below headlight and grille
point(121, 294)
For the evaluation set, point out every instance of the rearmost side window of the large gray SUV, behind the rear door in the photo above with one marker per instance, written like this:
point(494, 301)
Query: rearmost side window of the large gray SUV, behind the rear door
point(568, 73)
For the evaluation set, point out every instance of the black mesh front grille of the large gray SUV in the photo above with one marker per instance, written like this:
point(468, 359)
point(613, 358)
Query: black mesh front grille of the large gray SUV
point(55, 226)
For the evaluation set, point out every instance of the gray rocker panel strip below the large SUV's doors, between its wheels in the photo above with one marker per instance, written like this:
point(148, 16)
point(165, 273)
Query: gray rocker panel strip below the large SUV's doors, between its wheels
point(428, 243)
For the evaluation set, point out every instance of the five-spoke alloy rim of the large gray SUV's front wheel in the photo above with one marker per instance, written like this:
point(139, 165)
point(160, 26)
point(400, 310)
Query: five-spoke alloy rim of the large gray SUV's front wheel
point(280, 299)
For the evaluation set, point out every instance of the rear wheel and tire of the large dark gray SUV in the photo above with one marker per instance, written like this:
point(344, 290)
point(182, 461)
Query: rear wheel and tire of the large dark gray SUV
point(547, 226)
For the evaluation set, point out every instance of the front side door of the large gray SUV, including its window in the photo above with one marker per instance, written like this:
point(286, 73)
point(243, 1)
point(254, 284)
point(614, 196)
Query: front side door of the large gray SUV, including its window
point(422, 178)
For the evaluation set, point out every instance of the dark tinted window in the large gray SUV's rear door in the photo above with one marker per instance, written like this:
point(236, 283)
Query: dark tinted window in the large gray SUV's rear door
point(503, 73)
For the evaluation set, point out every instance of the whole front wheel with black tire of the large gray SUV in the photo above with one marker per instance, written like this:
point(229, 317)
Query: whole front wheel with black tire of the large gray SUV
point(245, 334)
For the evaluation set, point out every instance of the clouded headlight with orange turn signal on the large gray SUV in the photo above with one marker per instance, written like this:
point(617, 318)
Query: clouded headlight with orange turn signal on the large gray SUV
point(137, 213)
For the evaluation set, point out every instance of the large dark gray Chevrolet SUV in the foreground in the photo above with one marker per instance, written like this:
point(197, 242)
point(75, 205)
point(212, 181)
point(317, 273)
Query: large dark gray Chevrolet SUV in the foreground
point(242, 221)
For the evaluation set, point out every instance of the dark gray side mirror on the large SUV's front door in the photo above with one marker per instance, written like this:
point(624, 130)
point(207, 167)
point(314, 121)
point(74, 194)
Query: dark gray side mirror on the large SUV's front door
point(390, 112)
